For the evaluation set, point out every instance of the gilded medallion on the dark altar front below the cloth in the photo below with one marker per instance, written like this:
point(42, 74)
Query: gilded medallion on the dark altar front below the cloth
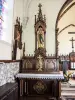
point(40, 87)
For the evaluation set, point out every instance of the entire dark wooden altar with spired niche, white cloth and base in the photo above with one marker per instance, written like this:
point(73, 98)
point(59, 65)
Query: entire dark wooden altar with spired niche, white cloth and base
point(39, 64)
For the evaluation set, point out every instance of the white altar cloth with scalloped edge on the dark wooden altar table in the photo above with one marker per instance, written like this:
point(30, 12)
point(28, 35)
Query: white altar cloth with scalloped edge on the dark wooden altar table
point(40, 76)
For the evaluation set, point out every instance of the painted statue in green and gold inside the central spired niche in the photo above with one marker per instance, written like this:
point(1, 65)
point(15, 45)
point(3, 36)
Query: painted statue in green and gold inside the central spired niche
point(40, 37)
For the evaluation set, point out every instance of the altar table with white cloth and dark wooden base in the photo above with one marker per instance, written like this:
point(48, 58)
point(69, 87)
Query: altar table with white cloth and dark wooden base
point(40, 83)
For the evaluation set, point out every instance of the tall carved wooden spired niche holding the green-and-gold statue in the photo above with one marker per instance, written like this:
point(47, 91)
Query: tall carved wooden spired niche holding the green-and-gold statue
point(40, 33)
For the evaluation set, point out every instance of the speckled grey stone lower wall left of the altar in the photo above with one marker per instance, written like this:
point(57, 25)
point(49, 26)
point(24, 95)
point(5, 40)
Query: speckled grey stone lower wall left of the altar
point(8, 72)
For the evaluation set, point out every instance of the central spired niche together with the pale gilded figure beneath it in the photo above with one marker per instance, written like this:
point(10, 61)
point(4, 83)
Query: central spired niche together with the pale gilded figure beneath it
point(40, 39)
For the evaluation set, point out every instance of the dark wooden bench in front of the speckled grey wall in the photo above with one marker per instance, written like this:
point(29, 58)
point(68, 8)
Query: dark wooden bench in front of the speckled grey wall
point(9, 91)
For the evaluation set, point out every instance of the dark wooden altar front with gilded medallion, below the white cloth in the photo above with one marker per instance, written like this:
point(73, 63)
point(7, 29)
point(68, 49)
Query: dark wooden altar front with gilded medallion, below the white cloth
point(42, 87)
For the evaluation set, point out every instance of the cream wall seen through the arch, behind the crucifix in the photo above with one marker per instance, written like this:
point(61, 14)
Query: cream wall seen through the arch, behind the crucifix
point(65, 45)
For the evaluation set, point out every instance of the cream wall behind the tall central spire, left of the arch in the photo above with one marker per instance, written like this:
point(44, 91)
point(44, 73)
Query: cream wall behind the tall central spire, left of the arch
point(50, 8)
